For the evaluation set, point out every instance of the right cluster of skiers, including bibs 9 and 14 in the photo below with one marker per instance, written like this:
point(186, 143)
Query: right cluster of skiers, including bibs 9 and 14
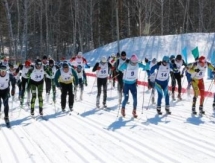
point(125, 70)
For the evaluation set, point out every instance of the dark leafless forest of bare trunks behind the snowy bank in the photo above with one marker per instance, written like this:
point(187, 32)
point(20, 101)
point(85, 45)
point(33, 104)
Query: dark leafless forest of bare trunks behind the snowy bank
point(61, 28)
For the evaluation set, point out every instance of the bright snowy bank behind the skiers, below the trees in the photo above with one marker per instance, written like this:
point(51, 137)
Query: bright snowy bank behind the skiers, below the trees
point(158, 46)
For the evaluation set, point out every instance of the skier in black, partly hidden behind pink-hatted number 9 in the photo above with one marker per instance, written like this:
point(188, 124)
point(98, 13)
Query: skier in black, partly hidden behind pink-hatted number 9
point(119, 74)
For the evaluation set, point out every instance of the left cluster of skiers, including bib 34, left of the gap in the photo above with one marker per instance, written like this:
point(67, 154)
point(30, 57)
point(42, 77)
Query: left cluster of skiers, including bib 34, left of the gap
point(30, 78)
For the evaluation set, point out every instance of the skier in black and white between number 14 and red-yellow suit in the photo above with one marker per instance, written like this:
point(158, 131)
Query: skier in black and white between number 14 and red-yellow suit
point(176, 64)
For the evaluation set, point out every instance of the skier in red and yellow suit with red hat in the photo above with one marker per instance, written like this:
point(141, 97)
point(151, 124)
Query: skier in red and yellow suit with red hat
point(197, 71)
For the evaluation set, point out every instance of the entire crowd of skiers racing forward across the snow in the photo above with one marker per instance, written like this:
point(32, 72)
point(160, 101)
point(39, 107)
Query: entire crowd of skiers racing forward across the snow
point(69, 75)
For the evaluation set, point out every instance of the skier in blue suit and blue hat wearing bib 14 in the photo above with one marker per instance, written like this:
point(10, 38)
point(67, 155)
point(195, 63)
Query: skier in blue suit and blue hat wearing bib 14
point(161, 82)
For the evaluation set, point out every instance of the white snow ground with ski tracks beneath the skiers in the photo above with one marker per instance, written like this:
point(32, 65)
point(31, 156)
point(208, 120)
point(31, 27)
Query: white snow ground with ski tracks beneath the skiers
point(102, 135)
